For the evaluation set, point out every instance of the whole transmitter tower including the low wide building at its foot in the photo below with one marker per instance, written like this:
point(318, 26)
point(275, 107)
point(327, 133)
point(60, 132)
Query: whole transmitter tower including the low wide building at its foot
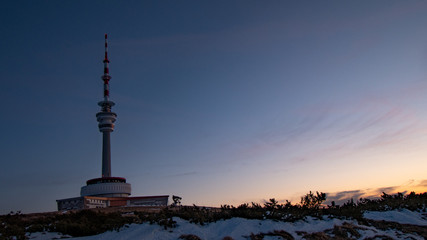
point(108, 191)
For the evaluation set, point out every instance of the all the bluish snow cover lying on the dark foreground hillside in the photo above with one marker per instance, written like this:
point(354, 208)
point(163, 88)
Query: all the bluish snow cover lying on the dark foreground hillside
point(239, 228)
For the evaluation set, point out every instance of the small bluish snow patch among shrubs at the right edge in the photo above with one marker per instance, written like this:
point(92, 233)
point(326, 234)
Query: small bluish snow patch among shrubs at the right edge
point(403, 216)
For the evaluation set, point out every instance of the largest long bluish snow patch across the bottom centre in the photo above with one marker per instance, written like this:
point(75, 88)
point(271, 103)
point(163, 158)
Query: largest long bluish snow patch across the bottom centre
point(237, 228)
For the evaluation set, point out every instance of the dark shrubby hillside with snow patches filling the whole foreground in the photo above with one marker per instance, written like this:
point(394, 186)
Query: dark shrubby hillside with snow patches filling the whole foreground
point(390, 217)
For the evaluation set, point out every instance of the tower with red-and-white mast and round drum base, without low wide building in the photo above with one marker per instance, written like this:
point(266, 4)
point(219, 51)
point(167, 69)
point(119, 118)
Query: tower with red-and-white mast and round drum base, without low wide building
point(106, 185)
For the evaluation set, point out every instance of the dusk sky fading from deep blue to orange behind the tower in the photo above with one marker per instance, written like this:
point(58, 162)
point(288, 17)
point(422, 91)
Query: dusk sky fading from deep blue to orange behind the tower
point(219, 102)
